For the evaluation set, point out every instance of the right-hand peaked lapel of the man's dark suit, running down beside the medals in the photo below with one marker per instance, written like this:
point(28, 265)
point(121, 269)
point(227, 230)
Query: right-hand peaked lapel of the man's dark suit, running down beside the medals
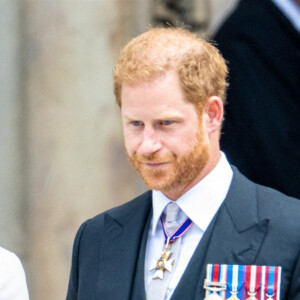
point(233, 237)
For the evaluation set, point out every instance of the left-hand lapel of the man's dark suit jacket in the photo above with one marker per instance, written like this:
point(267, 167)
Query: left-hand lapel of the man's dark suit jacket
point(122, 237)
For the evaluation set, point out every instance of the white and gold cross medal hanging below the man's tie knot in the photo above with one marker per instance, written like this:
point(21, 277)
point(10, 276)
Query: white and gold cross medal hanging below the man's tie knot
point(163, 263)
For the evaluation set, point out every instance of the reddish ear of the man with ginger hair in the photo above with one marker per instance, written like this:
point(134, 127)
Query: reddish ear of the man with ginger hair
point(213, 113)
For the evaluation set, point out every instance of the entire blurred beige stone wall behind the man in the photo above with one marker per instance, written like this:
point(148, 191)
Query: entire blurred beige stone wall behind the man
point(61, 147)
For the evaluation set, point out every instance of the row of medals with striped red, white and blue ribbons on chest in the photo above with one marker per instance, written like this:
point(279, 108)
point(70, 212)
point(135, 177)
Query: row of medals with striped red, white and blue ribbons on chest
point(240, 282)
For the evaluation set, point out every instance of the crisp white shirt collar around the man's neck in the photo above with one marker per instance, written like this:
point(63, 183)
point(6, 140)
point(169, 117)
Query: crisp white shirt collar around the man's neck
point(202, 201)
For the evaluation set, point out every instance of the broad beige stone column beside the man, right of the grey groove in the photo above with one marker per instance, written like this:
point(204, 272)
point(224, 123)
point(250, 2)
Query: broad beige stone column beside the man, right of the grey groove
point(76, 163)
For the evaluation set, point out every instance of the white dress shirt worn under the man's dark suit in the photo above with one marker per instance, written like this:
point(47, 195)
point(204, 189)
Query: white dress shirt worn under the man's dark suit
point(200, 204)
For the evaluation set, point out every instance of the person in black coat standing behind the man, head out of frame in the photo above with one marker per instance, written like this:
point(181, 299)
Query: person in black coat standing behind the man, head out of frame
point(261, 132)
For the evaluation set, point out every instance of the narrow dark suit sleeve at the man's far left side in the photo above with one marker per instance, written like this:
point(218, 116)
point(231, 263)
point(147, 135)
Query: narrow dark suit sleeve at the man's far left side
point(72, 293)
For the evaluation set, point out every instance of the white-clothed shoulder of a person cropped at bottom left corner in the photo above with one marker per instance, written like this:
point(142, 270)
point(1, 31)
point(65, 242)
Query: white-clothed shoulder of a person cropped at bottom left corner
point(12, 277)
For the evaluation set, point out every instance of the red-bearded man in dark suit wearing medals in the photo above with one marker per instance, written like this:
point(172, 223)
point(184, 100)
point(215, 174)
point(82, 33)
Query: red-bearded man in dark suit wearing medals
point(200, 214)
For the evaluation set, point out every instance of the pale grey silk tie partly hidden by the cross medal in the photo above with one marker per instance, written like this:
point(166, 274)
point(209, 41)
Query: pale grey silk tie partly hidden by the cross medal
point(158, 287)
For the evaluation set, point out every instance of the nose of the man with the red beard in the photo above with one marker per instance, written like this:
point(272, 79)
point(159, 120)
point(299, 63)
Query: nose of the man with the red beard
point(150, 143)
